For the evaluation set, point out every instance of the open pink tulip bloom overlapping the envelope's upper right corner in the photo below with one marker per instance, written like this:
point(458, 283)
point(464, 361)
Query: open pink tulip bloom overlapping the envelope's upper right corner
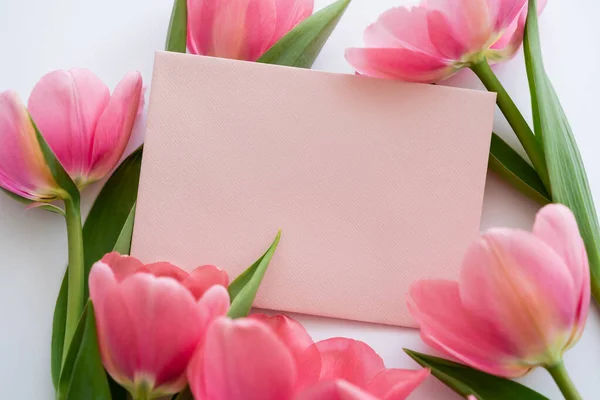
point(433, 41)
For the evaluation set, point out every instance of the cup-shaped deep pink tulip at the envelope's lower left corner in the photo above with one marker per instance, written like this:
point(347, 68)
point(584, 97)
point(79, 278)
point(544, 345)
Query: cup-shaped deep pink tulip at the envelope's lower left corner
point(150, 318)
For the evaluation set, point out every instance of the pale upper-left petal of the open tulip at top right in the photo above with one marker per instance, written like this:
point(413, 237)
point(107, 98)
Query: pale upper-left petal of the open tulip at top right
point(401, 27)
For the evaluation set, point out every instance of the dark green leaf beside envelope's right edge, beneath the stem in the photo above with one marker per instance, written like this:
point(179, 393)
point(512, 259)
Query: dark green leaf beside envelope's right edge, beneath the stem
point(507, 163)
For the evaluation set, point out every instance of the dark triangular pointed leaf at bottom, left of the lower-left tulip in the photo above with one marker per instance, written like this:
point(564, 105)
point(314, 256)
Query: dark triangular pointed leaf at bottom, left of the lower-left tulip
point(83, 376)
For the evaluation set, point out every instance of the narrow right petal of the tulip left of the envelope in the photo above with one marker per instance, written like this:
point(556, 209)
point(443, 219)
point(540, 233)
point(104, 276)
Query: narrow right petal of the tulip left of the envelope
point(114, 127)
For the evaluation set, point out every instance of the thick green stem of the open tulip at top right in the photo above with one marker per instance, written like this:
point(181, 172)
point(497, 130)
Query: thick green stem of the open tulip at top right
point(530, 143)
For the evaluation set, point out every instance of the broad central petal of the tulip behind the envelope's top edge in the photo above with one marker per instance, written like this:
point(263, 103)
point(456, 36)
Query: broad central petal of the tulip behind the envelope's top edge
point(242, 29)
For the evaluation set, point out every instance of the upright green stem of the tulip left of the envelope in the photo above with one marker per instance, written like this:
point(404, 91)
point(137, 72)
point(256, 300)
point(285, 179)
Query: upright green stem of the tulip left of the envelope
point(74, 270)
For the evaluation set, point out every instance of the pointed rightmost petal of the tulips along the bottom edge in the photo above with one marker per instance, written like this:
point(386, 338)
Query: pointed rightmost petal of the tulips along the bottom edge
point(396, 384)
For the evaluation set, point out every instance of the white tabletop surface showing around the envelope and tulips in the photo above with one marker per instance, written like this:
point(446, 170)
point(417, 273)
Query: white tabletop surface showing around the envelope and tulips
point(111, 37)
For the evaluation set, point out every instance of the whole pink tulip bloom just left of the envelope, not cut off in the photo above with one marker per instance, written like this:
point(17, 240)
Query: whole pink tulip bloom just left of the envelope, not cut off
point(86, 127)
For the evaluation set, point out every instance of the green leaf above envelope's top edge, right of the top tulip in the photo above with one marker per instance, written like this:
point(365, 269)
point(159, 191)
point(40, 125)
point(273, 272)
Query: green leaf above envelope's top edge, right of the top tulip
point(301, 46)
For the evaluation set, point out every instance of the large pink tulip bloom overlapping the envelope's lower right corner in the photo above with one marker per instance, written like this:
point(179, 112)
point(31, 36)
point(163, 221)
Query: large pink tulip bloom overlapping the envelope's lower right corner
point(522, 299)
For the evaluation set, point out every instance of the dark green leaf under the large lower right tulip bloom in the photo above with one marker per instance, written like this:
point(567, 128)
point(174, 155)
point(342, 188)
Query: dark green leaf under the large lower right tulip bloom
point(467, 381)
